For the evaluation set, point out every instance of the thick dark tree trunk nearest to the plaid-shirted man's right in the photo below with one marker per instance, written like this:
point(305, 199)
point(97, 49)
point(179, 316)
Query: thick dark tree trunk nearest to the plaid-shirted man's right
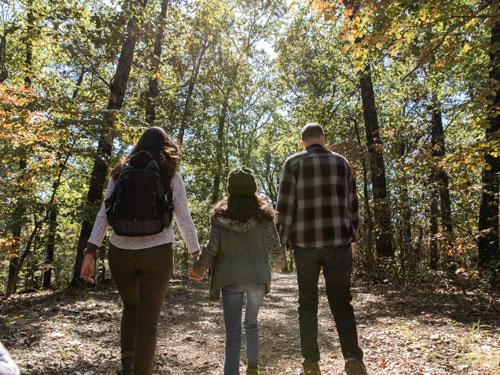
point(381, 205)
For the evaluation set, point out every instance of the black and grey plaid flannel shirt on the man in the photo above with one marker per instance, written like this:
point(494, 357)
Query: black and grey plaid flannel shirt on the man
point(317, 200)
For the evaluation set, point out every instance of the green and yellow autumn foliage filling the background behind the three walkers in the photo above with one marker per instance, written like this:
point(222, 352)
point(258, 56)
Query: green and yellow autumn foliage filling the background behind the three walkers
point(256, 71)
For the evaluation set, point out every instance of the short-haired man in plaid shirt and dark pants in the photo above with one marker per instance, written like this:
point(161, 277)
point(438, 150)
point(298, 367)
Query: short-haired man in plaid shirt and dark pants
point(318, 218)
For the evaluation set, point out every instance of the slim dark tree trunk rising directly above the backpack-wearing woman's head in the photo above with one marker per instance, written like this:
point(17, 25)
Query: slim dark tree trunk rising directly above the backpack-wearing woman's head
point(153, 82)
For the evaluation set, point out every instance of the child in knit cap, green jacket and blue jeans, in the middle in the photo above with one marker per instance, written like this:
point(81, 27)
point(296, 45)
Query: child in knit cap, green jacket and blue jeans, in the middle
point(242, 235)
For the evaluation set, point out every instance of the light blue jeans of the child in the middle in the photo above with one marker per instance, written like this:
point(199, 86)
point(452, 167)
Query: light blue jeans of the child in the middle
point(233, 297)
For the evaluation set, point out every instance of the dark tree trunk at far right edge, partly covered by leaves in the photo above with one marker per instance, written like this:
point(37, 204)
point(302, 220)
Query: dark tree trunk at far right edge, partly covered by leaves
point(488, 212)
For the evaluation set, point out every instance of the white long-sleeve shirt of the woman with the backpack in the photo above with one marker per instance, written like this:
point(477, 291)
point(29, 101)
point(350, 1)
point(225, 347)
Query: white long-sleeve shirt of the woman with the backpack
point(181, 215)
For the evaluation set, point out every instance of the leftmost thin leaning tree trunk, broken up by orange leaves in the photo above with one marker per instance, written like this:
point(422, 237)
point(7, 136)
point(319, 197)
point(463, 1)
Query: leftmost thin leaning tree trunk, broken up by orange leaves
point(17, 219)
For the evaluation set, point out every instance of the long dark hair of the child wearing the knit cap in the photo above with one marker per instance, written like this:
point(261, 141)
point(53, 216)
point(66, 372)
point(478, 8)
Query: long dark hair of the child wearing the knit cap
point(244, 208)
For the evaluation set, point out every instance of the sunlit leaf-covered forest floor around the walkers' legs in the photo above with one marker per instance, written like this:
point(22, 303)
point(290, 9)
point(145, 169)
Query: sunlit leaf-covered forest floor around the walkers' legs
point(408, 332)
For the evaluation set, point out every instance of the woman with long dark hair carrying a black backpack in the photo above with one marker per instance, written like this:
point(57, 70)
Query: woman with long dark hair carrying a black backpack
point(142, 264)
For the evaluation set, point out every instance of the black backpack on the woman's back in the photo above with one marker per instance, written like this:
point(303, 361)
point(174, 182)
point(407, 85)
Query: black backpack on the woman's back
point(140, 204)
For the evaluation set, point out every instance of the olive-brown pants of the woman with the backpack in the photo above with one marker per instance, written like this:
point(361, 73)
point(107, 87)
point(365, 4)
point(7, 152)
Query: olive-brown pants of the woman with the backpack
point(141, 277)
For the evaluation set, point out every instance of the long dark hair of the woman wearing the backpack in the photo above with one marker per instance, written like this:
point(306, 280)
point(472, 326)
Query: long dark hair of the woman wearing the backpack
point(159, 144)
